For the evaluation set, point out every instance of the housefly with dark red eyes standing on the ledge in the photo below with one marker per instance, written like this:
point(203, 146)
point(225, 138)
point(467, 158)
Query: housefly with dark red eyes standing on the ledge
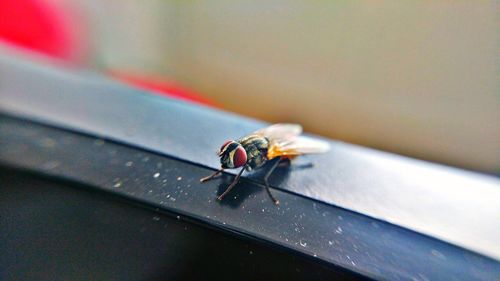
point(253, 151)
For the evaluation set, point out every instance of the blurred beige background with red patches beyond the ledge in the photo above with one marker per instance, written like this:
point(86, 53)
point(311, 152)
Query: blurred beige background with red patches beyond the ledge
point(418, 78)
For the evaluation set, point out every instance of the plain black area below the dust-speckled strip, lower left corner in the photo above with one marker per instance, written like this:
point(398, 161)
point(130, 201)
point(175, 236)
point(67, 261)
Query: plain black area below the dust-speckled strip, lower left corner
point(58, 231)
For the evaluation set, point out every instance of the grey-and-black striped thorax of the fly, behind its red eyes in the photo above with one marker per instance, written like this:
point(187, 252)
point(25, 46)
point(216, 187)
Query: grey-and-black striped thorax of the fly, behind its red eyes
point(256, 147)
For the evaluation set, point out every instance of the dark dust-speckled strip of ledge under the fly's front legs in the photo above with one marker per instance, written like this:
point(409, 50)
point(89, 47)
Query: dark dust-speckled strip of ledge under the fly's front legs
point(321, 231)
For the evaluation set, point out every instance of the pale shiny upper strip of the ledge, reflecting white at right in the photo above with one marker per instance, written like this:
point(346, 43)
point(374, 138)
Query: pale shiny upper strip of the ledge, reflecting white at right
point(456, 206)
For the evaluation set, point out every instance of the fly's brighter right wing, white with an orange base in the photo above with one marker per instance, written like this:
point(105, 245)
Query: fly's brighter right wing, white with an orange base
point(297, 146)
